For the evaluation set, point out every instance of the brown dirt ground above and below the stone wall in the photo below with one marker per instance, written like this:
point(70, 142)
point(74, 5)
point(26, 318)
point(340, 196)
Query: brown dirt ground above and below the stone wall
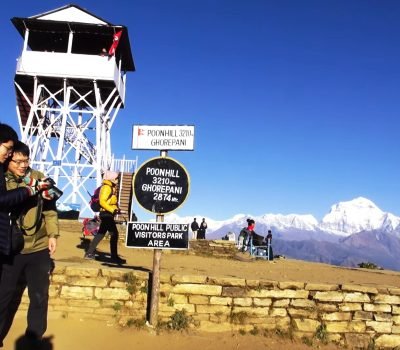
point(72, 334)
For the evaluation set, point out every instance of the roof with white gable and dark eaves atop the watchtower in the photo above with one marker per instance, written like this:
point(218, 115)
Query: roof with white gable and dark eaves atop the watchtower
point(50, 30)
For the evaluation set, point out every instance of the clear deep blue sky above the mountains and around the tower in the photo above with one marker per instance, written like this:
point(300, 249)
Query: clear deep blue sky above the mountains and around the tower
point(295, 103)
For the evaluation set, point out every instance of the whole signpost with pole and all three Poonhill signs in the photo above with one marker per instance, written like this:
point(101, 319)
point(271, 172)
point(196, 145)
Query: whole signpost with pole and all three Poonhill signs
point(160, 186)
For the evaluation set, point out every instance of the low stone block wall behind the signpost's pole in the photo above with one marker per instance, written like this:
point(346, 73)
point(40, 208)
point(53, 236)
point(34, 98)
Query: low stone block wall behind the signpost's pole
point(352, 315)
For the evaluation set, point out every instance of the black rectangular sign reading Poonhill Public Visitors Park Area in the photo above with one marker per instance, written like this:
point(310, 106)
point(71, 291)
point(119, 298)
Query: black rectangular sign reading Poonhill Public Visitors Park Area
point(157, 235)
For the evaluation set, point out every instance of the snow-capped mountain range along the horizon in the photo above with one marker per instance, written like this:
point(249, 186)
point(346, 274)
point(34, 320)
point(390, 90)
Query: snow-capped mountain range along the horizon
point(352, 232)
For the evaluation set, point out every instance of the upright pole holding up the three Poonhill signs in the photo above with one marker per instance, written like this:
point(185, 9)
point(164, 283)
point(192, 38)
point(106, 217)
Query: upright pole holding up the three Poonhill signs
point(155, 288)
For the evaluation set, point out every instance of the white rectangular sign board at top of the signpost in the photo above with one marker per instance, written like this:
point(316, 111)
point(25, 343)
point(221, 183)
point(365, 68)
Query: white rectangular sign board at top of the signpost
point(163, 137)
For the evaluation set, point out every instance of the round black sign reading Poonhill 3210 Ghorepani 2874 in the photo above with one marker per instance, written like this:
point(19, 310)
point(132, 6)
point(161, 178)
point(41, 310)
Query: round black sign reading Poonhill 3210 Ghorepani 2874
point(161, 185)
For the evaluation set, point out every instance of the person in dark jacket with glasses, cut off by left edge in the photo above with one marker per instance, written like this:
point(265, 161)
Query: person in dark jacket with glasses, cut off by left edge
point(9, 199)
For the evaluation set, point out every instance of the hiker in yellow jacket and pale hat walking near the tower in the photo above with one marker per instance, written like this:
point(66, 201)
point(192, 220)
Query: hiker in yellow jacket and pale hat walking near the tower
point(108, 209)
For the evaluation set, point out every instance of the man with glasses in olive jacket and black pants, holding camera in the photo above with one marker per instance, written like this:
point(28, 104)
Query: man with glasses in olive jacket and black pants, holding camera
point(37, 218)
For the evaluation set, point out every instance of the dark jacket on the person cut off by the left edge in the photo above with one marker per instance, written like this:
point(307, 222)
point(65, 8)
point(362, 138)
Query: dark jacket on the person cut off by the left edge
point(8, 199)
